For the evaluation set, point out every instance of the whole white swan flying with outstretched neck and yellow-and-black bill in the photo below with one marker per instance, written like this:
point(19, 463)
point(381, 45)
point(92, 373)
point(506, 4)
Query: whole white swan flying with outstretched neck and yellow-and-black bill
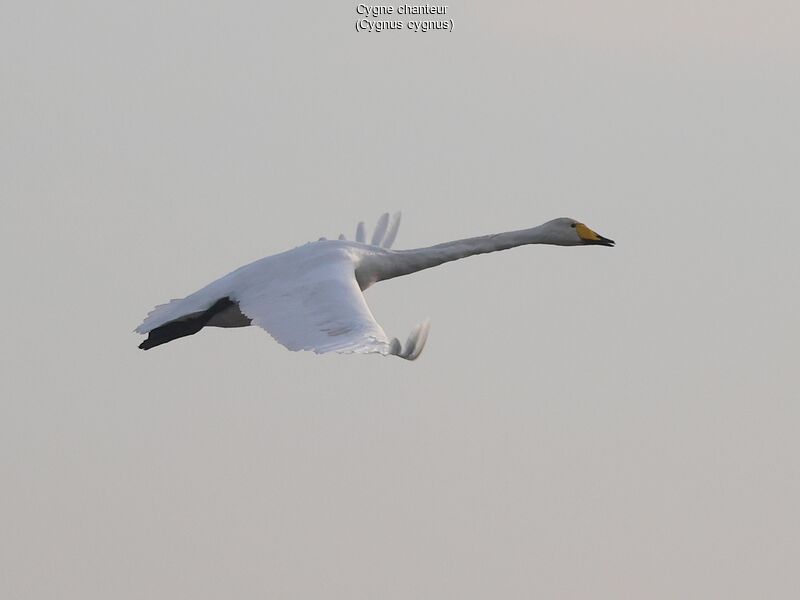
point(310, 298)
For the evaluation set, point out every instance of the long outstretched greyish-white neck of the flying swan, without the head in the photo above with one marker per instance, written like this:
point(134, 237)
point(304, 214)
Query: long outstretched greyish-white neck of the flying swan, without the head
point(404, 262)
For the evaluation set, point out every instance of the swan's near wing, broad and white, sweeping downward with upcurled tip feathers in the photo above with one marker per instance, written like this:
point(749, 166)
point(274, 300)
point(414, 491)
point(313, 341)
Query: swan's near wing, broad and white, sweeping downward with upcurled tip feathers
point(321, 310)
